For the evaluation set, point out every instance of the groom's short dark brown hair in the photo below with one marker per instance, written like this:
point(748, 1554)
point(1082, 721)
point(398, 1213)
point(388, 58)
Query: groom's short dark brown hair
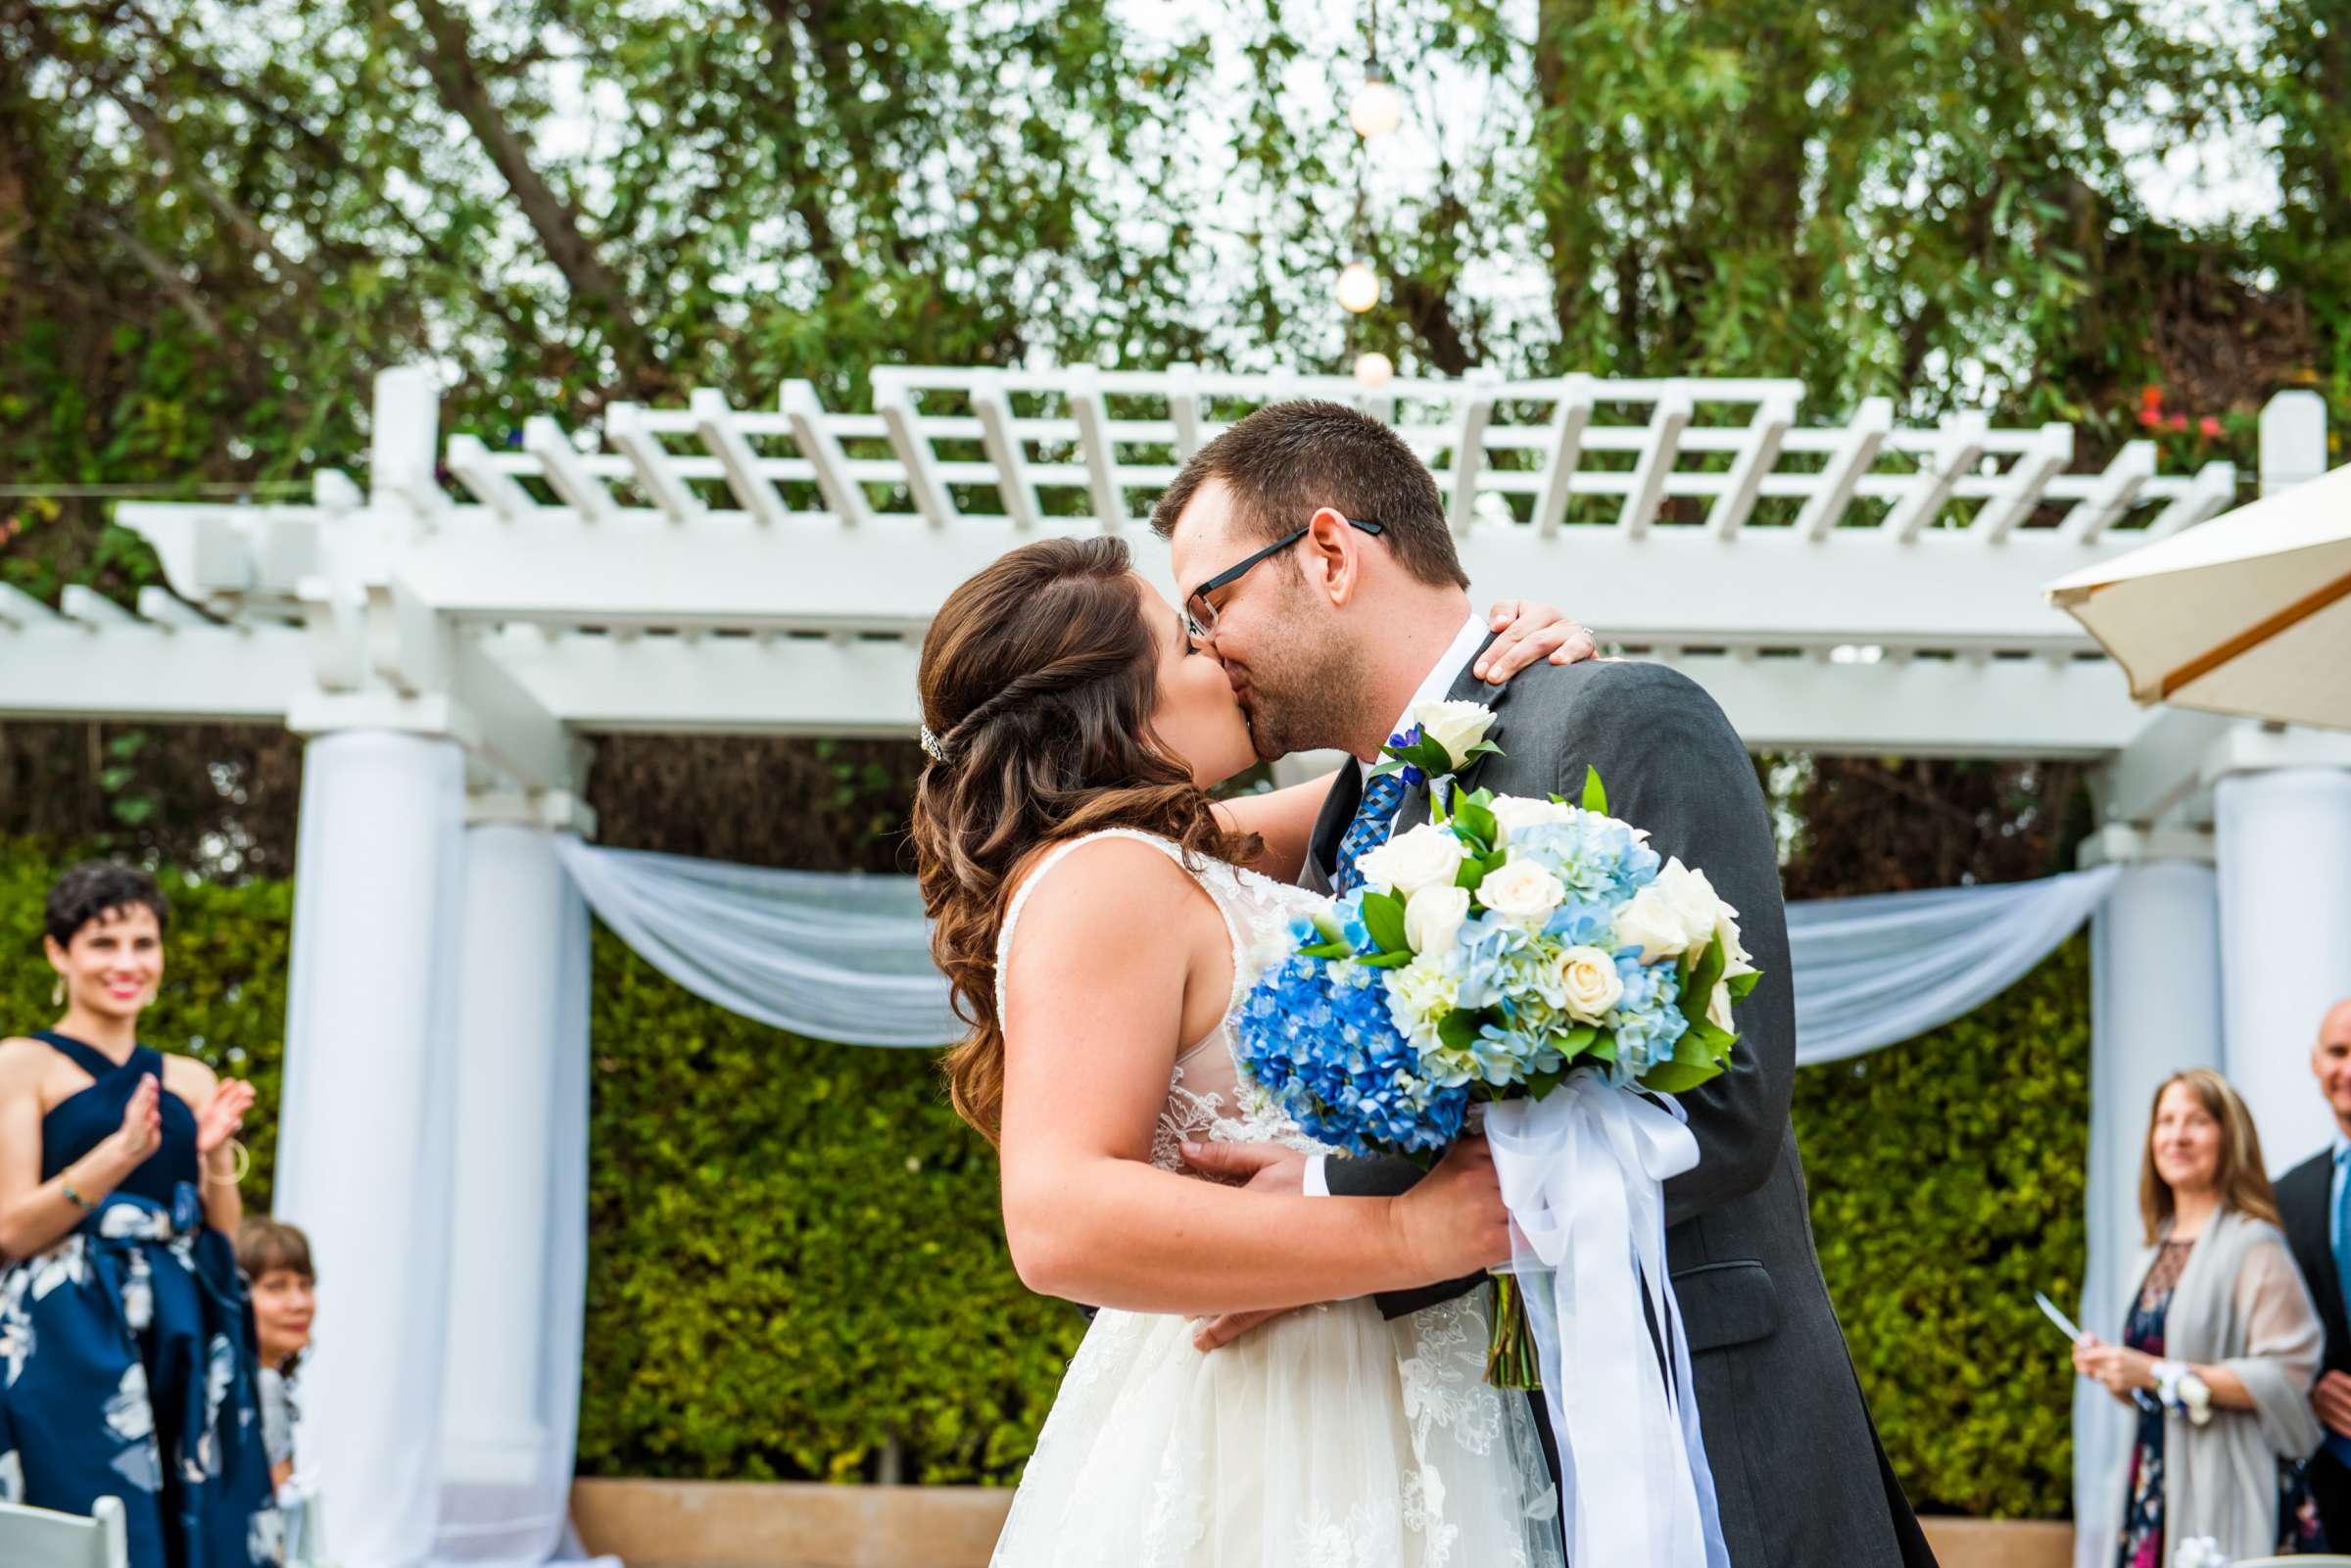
point(1294, 457)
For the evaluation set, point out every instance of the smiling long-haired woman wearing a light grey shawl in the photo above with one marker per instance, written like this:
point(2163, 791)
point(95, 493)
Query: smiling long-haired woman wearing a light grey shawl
point(2221, 1348)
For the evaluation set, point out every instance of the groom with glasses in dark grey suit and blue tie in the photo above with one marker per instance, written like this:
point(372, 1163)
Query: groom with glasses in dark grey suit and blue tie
point(1318, 565)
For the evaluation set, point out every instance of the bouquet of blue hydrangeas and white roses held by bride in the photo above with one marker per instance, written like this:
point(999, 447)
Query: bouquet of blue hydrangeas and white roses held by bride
point(1487, 956)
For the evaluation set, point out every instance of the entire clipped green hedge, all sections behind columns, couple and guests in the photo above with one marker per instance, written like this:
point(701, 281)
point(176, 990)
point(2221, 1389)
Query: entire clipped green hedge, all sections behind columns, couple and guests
point(796, 1259)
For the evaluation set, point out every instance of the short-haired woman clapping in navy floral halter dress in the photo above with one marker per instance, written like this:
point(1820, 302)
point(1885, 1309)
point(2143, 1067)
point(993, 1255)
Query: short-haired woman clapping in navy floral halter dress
point(126, 1348)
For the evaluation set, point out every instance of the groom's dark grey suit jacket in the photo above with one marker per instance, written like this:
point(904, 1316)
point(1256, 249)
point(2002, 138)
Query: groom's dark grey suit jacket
point(1797, 1463)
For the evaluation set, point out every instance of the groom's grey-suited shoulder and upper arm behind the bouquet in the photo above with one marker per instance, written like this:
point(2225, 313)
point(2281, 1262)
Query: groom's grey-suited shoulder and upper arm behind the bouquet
point(1675, 768)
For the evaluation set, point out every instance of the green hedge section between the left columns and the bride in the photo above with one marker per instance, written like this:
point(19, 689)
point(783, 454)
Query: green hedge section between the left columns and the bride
point(796, 1259)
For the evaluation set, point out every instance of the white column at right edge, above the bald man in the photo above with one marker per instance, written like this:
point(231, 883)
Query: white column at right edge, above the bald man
point(2286, 942)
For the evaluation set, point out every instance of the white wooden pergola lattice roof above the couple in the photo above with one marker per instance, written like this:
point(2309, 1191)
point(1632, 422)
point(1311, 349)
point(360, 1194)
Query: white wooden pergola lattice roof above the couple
point(1840, 587)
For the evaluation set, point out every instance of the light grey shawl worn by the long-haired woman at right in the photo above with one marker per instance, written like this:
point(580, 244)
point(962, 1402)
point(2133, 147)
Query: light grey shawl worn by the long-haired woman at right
point(2242, 1306)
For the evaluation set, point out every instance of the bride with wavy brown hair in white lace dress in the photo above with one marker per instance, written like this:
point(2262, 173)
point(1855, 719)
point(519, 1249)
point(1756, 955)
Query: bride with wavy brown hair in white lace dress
point(1099, 918)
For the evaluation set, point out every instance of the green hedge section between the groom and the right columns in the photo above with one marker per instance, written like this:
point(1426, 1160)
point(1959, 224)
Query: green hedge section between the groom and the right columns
point(1948, 1186)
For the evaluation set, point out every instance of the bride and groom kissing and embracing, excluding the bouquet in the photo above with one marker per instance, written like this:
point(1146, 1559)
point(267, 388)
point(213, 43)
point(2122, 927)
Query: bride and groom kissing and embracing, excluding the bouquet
point(1287, 1360)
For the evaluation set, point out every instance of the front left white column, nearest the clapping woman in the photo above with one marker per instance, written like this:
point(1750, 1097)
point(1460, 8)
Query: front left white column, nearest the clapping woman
point(363, 1158)
